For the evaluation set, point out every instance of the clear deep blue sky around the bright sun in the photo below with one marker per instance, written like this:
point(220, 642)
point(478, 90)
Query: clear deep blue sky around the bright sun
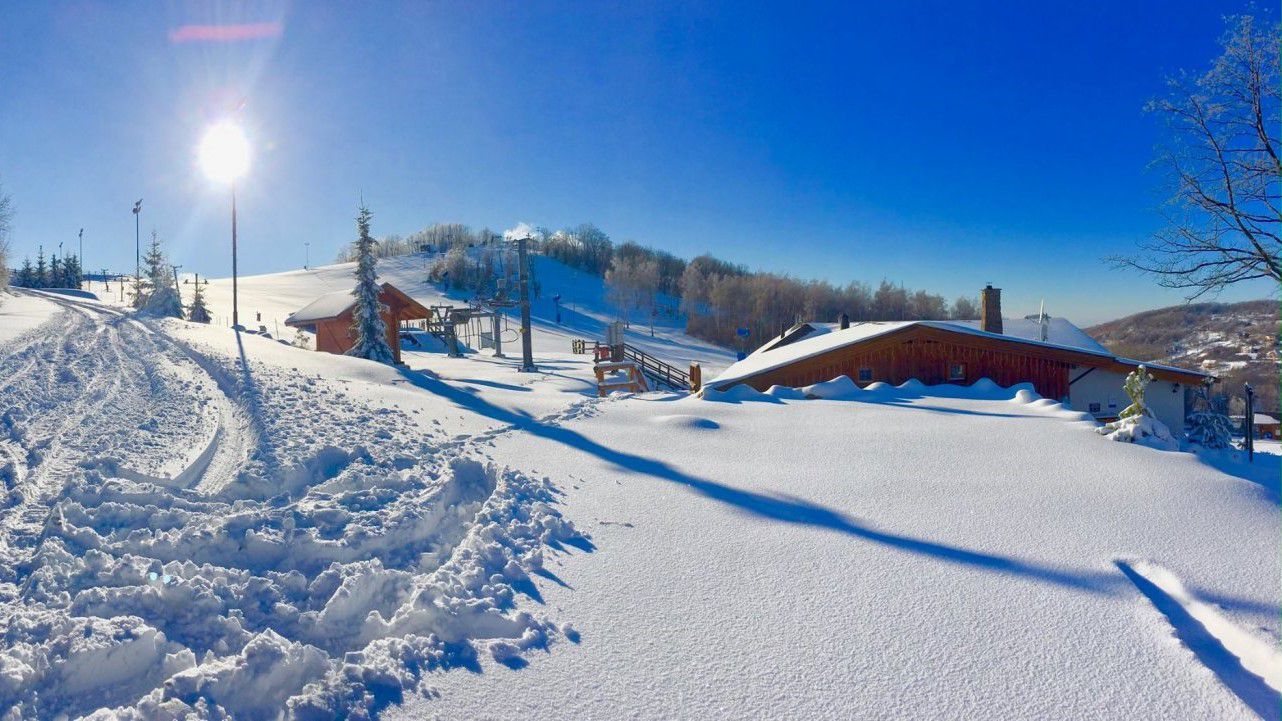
point(935, 144)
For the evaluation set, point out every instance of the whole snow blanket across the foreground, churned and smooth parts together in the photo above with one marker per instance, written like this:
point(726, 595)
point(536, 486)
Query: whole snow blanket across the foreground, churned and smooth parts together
point(201, 522)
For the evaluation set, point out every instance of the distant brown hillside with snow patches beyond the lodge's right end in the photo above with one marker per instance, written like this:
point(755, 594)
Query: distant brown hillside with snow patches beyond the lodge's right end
point(1238, 342)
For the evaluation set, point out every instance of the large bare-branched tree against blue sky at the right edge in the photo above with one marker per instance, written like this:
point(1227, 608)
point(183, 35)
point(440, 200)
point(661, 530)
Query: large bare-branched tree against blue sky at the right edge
point(1222, 155)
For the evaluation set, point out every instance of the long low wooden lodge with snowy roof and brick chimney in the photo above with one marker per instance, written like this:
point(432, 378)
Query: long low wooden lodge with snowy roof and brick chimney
point(1058, 359)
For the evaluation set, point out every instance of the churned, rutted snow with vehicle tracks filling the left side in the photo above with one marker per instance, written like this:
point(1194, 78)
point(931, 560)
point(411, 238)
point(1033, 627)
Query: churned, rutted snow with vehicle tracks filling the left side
point(185, 533)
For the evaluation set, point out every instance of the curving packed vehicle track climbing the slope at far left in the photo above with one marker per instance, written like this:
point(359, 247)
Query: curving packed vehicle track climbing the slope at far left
point(79, 389)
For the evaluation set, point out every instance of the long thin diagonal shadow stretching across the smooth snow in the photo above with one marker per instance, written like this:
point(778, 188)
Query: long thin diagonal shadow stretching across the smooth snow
point(780, 507)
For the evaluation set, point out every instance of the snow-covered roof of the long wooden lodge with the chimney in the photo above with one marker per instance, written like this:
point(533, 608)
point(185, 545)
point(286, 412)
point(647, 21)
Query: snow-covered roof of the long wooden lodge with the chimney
point(1062, 335)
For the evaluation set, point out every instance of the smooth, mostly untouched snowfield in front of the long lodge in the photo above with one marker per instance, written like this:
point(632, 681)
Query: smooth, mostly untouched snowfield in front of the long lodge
point(901, 554)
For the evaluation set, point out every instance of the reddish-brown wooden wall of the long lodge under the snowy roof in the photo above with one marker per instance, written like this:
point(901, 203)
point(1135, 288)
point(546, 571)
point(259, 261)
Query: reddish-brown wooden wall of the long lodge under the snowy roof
point(926, 355)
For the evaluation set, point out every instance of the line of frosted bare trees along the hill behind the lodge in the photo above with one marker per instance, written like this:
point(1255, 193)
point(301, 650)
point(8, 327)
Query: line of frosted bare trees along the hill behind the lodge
point(717, 298)
